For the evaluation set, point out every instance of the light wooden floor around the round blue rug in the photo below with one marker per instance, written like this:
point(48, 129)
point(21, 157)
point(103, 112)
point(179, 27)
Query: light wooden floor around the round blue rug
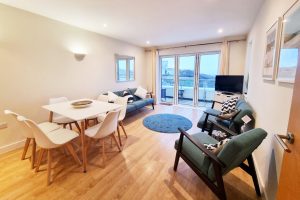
point(143, 170)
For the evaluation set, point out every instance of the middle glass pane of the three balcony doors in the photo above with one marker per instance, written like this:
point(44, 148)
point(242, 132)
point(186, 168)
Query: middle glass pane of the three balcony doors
point(186, 79)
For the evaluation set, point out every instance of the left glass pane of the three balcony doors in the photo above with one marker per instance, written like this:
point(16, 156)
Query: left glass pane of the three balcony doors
point(167, 79)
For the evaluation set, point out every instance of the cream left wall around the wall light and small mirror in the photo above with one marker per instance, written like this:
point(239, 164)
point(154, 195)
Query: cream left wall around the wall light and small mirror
point(37, 63)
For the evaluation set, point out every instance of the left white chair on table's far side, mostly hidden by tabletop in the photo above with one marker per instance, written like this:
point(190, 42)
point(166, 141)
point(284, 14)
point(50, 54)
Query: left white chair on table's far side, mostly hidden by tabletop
point(61, 120)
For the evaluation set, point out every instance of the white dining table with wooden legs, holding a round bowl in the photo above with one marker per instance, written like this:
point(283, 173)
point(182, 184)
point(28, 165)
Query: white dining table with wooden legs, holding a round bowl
point(81, 114)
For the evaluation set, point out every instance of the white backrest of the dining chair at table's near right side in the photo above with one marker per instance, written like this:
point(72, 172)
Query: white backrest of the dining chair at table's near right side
point(109, 124)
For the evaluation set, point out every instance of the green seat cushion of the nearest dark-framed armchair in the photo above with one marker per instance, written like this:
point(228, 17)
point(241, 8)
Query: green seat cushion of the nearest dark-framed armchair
point(194, 154)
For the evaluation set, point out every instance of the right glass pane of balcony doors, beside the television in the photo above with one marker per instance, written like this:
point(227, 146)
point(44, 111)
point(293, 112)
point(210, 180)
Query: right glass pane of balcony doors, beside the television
point(208, 69)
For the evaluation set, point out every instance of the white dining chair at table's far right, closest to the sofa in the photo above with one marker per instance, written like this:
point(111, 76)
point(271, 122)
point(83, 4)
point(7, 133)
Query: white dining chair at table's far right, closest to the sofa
point(121, 101)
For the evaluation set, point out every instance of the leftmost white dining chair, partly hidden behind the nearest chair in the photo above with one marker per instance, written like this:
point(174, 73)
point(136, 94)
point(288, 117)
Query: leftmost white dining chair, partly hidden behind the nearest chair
point(28, 134)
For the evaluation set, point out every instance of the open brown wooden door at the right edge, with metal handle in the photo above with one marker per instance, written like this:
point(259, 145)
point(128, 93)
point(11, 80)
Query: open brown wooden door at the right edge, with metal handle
point(289, 181)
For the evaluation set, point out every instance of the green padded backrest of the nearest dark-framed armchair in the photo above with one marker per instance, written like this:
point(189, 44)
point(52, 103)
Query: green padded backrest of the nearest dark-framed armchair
point(238, 149)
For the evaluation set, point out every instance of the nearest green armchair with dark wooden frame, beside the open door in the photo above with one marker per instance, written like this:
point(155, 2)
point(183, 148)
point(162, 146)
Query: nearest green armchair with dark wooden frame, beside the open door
point(210, 167)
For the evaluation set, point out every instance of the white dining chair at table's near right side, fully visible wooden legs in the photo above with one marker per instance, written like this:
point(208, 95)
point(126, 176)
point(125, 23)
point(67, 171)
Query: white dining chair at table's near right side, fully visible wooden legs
point(105, 129)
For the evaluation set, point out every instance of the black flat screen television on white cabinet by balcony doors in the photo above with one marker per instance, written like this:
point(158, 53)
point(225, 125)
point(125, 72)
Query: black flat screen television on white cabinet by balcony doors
point(229, 83)
